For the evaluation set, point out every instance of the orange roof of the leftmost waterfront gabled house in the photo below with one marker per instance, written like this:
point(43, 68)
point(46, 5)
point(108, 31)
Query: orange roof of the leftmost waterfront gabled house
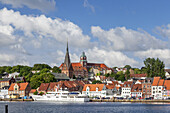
point(22, 86)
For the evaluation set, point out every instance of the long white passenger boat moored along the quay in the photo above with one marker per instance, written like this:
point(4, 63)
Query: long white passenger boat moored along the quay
point(61, 96)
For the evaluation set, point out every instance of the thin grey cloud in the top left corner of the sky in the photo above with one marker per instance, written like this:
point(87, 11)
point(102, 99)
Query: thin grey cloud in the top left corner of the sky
point(43, 5)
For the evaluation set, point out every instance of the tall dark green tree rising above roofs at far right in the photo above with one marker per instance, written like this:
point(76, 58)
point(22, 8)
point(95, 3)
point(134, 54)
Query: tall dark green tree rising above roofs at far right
point(154, 67)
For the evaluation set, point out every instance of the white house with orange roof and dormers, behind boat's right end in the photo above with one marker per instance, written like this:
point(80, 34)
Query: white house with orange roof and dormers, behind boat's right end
point(93, 90)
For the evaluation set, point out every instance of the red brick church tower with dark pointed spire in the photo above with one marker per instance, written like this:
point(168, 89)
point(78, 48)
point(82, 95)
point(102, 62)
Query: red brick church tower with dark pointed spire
point(67, 67)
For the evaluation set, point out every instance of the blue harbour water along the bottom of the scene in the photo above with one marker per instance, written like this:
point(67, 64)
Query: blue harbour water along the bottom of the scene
point(89, 107)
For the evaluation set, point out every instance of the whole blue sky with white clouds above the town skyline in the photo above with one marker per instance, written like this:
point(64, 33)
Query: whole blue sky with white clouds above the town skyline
point(114, 32)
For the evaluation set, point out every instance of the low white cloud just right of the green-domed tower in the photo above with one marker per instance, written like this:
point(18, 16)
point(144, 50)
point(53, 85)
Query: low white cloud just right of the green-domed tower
point(111, 58)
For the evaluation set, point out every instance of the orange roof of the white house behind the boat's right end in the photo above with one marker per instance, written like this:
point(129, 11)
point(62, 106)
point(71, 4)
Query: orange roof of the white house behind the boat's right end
point(93, 87)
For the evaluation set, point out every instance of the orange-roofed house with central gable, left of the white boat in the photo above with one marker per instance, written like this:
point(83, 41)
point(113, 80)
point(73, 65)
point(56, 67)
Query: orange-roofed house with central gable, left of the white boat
point(21, 89)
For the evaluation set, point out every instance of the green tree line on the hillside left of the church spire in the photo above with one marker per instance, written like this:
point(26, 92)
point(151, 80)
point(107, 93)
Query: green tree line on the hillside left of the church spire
point(42, 75)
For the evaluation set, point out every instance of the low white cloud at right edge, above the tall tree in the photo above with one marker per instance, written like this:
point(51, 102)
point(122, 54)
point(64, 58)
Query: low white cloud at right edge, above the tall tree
point(162, 54)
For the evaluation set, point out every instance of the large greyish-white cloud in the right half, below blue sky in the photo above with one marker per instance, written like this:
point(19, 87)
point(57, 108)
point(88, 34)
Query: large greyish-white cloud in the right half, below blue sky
point(123, 39)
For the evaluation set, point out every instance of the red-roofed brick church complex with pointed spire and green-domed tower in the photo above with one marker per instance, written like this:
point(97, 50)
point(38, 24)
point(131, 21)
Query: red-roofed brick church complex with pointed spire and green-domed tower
point(81, 68)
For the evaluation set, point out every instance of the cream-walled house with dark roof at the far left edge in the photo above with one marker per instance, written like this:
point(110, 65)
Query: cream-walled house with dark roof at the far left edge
point(6, 82)
